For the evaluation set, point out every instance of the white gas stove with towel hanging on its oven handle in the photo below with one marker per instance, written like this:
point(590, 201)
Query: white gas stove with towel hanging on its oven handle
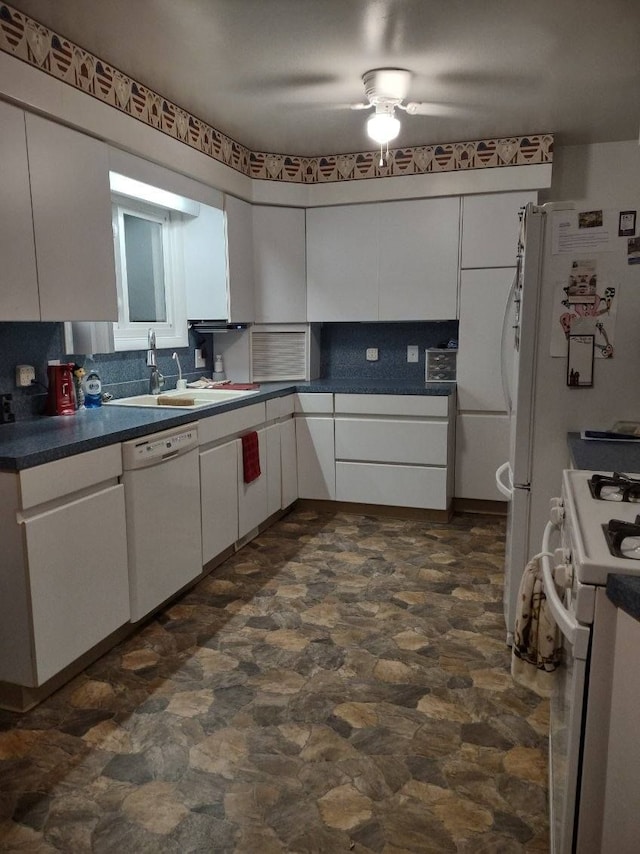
point(583, 813)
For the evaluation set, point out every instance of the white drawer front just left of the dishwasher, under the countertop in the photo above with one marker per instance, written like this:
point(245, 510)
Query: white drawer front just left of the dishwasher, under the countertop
point(63, 477)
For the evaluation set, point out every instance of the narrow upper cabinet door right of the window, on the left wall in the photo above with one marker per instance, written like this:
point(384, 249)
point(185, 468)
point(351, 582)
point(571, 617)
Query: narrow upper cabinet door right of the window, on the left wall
point(240, 260)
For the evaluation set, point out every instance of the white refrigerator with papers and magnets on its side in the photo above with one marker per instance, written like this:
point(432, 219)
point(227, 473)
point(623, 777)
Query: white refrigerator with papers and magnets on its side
point(543, 408)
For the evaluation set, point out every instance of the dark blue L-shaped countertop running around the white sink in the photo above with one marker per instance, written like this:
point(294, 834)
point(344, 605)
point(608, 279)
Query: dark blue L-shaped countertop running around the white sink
point(43, 439)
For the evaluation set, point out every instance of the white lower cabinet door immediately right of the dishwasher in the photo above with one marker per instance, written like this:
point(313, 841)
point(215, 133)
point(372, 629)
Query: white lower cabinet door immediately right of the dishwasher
point(219, 499)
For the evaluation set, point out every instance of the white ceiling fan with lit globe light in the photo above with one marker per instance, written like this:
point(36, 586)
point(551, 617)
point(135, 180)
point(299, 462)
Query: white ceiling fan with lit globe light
point(385, 90)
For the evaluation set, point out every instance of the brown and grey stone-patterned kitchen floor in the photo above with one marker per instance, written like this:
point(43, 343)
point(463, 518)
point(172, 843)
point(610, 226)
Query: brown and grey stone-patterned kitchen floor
point(339, 685)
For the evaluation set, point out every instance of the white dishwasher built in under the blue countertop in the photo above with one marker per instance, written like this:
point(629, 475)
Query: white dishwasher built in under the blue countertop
point(161, 477)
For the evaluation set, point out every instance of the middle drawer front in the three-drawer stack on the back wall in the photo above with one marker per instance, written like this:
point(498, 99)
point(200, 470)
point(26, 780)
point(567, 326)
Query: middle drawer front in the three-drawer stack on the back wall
point(391, 441)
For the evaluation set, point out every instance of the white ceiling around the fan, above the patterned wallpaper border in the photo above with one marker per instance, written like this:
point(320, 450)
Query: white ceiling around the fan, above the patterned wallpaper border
point(277, 75)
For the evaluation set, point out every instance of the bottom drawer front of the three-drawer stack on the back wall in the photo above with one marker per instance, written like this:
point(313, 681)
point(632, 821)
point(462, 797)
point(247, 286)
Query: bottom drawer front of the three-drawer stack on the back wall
point(398, 486)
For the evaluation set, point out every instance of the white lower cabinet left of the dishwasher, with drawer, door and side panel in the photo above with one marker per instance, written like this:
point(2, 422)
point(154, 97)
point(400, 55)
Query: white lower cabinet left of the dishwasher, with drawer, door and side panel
point(65, 585)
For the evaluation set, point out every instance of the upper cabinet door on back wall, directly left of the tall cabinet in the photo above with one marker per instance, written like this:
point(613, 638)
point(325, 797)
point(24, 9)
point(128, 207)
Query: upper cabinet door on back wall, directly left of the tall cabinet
point(418, 251)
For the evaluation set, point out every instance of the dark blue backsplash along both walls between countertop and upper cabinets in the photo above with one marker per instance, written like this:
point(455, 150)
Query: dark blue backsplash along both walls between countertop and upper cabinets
point(343, 348)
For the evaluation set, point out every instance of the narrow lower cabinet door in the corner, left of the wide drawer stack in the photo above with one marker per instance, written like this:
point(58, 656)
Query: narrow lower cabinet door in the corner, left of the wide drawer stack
point(316, 457)
